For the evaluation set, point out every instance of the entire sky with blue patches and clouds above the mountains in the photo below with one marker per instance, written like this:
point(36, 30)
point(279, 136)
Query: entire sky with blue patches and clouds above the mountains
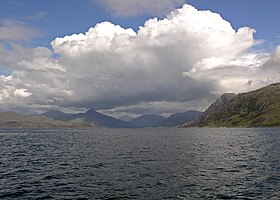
point(133, 57)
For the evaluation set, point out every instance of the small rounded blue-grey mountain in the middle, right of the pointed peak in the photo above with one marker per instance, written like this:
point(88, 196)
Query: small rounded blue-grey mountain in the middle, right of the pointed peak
point(147, 120)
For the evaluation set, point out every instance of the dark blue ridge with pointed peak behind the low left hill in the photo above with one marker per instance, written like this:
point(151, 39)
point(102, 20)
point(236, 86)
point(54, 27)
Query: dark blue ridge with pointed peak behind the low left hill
point(91, 116)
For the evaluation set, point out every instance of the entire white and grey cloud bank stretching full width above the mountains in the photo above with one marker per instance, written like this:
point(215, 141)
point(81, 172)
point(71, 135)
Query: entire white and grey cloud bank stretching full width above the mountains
point(184, 60)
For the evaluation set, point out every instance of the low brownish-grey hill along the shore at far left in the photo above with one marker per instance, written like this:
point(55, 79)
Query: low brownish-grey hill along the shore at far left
point(15, 120)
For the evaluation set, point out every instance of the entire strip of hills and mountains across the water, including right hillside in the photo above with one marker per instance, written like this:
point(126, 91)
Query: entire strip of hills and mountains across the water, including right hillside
point(259, 108)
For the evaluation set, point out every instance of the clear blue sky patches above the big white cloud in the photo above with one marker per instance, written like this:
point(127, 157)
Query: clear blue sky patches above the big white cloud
point(64, 17)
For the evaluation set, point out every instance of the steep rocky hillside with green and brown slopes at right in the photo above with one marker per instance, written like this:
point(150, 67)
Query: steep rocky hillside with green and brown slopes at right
point(257, 108)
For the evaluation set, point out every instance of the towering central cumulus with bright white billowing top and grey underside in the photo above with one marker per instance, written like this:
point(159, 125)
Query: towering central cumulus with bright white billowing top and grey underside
point(121, 66)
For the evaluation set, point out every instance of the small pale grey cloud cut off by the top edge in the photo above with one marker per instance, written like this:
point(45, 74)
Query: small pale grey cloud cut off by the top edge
point(125, 8)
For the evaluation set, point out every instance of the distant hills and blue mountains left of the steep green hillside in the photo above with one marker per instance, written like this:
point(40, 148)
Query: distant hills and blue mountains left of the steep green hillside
point(90, 119)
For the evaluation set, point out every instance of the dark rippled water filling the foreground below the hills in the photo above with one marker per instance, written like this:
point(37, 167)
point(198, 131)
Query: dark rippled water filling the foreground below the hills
point(140, 164)
